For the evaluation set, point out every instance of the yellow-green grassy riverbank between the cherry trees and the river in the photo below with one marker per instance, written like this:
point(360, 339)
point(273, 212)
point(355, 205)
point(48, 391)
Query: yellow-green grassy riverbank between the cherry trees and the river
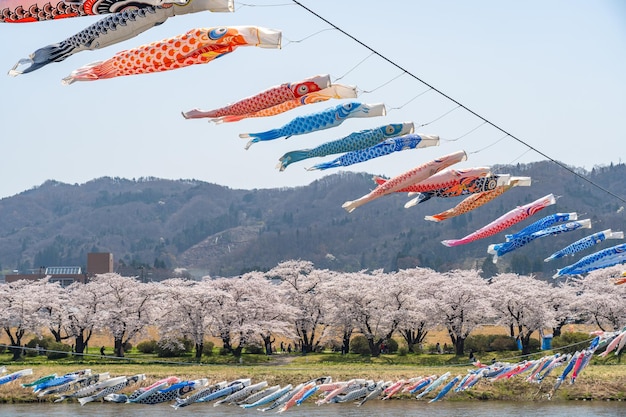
point(602, 380)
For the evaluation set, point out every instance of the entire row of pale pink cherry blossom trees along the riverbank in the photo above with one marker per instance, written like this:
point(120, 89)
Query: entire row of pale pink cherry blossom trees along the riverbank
point(314, 307)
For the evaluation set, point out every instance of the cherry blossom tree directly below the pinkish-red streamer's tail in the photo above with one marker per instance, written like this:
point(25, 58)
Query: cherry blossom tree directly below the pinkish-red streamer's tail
point(461, 301)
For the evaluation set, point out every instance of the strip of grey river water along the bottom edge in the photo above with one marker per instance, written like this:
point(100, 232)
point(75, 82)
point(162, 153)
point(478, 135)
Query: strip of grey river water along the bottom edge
point(402, 408)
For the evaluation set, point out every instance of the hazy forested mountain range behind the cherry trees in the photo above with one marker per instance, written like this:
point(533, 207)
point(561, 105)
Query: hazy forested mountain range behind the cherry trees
point(210, 229)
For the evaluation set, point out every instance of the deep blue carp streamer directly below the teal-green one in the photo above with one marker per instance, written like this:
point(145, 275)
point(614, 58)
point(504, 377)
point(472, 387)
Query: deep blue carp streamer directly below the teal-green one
point(410, 141)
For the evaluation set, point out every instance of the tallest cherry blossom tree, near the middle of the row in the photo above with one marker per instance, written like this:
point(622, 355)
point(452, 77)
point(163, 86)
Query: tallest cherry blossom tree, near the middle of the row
point(303, 290)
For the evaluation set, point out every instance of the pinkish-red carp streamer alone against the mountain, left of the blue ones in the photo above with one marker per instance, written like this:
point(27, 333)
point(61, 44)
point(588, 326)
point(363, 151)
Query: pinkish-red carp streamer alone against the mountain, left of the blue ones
point(505, 221)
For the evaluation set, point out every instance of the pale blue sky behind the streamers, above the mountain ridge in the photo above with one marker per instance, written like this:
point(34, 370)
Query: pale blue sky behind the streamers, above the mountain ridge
point(550, 72)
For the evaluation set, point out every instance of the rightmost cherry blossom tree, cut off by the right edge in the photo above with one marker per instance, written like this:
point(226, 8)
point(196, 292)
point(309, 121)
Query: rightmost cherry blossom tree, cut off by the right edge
point(600, 301)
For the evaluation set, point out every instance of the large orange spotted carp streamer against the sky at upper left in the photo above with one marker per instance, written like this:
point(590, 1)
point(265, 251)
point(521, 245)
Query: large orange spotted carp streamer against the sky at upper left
point(197, 46)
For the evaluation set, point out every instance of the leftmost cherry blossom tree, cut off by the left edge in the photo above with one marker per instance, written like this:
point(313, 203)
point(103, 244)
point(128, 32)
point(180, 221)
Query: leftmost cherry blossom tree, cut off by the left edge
point(20, 311)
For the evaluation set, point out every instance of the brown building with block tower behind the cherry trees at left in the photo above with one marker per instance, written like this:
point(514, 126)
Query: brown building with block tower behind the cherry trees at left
point(97, 263)
